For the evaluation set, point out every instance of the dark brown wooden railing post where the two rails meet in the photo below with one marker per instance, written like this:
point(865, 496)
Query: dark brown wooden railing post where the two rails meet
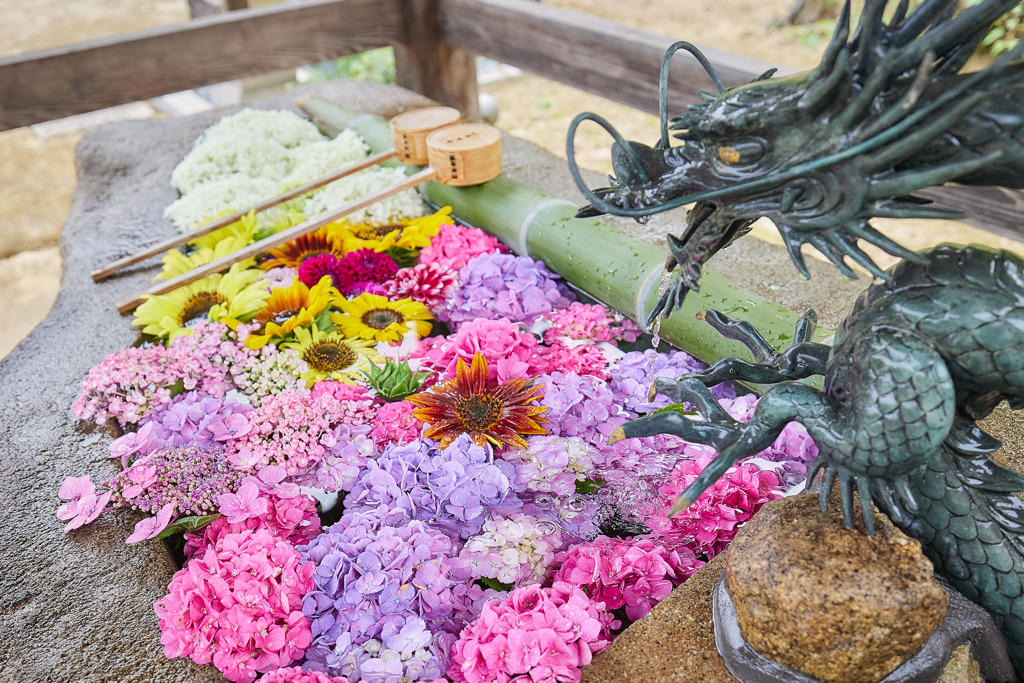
point(441, 72)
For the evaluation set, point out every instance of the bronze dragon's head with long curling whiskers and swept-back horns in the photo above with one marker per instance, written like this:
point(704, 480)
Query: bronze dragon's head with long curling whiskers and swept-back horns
point(886, 114)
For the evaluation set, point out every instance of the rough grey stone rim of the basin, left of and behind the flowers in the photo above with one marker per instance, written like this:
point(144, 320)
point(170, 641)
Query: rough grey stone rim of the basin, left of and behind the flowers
point(78, 609)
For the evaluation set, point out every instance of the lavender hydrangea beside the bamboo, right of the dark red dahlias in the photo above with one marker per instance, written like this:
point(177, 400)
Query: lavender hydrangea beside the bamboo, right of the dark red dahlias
point(505, 286)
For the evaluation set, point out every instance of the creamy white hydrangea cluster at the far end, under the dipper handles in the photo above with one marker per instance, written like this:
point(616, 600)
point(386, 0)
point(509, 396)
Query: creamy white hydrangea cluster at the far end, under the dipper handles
point(253, 155)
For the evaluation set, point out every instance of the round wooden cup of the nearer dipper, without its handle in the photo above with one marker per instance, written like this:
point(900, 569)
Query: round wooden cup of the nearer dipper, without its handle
point(465, 155)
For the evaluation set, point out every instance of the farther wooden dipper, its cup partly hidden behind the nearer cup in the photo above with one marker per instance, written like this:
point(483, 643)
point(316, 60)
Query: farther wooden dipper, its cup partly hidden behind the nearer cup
point(414, 127)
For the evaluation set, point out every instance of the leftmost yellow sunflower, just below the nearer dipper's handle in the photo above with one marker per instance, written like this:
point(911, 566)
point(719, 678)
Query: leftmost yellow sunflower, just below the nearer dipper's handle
point(228, 297)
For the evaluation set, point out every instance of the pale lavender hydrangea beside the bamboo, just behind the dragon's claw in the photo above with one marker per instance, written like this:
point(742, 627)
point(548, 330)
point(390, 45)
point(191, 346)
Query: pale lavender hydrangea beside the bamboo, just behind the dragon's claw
point(632, 376)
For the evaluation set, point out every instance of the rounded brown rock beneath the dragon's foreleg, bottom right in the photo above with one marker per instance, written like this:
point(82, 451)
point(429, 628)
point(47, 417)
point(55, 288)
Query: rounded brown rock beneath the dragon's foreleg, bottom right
point(835, 604)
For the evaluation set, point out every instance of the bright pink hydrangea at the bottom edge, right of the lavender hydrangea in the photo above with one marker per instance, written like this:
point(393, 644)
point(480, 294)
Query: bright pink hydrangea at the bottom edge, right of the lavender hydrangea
point(536, 634)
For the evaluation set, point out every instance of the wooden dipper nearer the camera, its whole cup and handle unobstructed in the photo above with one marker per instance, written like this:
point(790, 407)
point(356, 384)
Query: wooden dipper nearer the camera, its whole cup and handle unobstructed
point(467, 154)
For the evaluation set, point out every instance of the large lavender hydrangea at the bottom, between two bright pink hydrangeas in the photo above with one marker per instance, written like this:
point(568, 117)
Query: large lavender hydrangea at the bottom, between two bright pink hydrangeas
point(370, 583)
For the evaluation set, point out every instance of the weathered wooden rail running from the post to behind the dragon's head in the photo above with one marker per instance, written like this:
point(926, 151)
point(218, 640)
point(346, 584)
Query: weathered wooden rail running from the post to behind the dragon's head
point(594, 55)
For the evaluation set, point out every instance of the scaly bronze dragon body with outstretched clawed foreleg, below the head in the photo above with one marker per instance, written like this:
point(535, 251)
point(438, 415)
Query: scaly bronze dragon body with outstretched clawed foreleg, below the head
point(920, 359)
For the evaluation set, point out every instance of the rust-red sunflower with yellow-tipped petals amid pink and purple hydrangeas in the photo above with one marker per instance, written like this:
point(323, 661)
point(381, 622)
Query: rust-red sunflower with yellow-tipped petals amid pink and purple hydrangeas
point(488, 412)
